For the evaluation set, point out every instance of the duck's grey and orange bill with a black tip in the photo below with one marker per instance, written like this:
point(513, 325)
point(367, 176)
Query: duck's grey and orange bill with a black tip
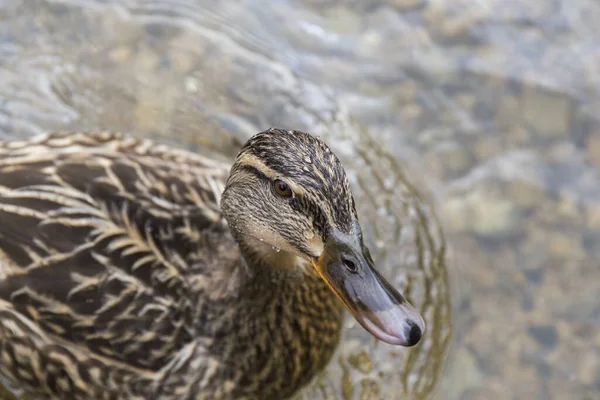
point(348, 269)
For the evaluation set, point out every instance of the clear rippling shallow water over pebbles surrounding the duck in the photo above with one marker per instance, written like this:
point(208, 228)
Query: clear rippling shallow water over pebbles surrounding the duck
point(489, 108)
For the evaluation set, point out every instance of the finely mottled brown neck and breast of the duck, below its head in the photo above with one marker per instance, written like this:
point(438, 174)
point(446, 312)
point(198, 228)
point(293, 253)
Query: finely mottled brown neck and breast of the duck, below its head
point(290, 316)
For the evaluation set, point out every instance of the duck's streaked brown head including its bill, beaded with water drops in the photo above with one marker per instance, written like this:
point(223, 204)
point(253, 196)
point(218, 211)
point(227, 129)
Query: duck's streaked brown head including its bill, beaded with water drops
point(288, 196)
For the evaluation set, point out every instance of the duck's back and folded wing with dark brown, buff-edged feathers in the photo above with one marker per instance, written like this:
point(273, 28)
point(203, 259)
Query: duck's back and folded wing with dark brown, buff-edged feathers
point(97, 236)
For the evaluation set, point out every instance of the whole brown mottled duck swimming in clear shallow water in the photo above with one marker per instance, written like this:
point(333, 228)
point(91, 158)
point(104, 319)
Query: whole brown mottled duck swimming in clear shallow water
point(133, 270)
